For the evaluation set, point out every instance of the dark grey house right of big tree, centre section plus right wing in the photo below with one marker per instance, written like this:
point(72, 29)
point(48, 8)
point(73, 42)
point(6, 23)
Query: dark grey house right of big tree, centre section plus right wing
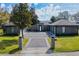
point(60, 27)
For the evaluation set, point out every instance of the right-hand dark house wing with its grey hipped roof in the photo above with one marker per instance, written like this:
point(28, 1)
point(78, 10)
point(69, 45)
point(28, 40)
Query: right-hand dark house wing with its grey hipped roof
point(64, 27)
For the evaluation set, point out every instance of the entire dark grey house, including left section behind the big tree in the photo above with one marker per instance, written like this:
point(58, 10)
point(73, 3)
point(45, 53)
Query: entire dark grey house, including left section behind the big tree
point(60, 27)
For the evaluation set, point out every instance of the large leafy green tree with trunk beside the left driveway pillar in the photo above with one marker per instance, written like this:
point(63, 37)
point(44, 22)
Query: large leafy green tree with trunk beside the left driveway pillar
point(21, 16)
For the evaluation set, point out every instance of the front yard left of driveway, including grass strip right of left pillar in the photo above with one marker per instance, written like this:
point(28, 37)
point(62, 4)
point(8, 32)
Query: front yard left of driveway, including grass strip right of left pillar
point(9, 44)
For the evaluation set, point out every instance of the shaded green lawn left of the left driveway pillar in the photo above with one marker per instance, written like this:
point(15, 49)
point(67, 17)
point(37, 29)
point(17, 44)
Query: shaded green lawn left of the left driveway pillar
point(7, 44)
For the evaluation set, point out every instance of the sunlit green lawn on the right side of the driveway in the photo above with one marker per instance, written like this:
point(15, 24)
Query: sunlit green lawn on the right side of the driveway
point(66, 43)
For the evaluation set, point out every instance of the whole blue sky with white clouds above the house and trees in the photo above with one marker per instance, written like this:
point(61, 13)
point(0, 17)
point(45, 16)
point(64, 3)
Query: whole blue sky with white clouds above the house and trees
point(46, 10)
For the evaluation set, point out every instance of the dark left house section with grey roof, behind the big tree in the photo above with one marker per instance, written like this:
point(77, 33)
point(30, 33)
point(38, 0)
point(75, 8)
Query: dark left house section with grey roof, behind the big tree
point(10, 29)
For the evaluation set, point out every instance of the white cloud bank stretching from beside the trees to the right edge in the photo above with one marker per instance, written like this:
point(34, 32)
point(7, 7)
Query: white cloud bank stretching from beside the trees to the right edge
point(45, 13)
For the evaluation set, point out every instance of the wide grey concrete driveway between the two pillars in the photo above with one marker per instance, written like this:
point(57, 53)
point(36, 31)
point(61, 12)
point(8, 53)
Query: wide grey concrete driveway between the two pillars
point(38, 43)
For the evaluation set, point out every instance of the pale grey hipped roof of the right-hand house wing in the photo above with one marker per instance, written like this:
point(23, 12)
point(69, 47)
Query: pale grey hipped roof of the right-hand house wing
point(64, 23)
